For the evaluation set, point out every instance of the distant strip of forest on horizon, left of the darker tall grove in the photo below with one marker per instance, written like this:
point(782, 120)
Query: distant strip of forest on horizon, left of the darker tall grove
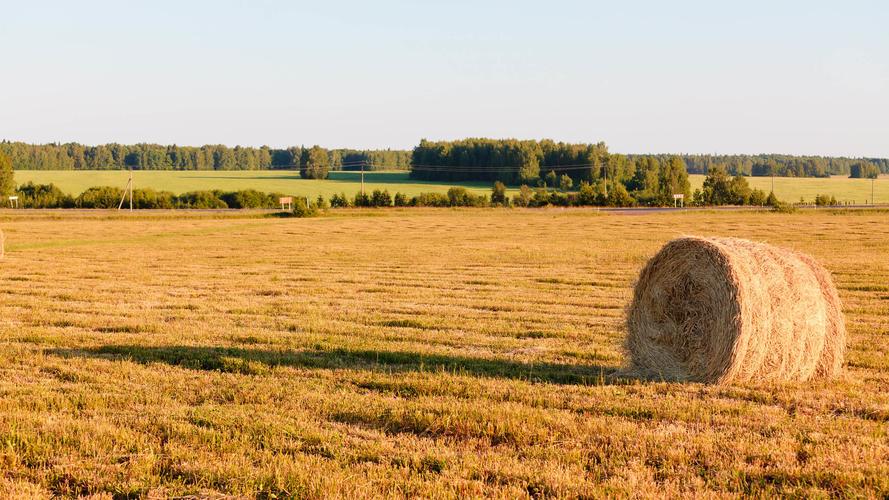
point(73, 156)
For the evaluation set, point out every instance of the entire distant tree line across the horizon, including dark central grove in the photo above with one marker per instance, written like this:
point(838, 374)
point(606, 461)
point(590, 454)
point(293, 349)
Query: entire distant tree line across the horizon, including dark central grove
point(510, 161)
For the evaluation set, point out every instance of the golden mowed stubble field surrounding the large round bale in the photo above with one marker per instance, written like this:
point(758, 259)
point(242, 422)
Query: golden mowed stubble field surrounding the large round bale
point(433, 353)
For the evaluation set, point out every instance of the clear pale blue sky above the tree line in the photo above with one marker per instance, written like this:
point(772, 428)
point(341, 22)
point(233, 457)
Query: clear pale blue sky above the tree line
point(801, 77)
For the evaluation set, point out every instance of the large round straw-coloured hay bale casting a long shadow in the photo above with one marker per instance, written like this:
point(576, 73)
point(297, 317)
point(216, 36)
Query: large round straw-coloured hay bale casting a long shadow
point(721, 310)
